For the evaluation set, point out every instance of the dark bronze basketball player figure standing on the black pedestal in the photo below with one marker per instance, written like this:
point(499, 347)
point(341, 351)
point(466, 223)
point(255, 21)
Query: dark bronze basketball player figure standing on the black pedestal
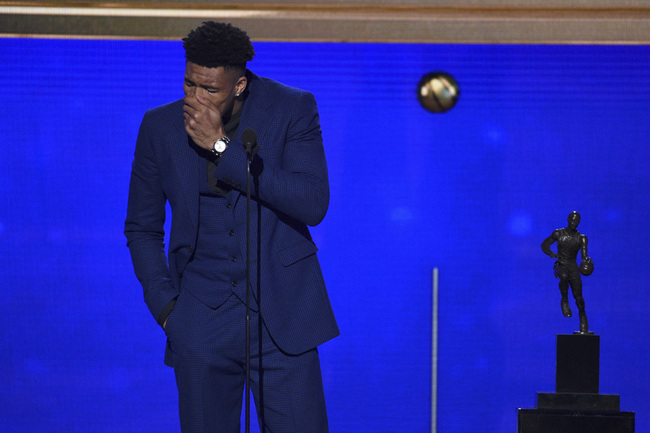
point(569, 242)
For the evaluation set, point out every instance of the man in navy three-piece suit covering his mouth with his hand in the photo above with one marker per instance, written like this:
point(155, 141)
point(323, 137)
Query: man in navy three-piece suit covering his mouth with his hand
point(190, 153)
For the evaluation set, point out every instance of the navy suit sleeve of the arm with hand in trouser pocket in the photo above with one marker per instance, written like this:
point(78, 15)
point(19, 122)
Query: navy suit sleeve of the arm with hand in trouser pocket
point(144, 226)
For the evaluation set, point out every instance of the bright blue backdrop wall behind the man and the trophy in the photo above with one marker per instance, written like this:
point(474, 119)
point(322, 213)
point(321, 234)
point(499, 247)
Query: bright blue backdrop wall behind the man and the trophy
point(539, 131)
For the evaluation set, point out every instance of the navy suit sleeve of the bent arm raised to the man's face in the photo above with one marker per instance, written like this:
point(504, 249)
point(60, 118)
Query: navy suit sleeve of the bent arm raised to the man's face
point(298, 186)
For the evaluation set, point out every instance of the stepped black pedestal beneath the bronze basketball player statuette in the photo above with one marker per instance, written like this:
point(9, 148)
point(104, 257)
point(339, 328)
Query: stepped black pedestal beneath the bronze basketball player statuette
point(576, 406)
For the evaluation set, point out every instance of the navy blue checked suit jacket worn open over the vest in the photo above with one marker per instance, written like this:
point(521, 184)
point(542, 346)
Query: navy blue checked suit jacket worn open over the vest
point(293, 193)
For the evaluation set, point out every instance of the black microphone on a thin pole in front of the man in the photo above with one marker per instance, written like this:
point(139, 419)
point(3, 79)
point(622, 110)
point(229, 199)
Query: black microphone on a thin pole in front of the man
point(249, 138)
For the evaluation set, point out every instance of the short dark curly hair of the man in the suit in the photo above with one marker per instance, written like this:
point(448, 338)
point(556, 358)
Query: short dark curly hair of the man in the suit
point(218, 44)
